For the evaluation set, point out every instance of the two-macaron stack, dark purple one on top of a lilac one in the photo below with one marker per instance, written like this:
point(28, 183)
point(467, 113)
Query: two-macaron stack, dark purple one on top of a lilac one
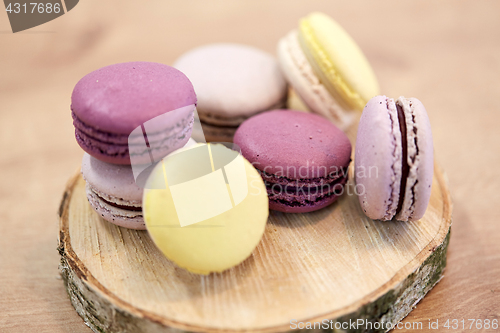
point(127, 117)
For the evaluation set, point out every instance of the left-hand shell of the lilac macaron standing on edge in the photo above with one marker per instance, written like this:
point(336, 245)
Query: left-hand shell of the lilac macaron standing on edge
point(378, 153)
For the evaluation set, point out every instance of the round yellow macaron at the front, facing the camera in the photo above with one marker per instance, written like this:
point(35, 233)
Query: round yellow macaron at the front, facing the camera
point(205, 208)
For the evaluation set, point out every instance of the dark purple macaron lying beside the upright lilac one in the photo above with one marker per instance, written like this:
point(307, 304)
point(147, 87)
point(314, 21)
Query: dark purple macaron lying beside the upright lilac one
point(302, 157)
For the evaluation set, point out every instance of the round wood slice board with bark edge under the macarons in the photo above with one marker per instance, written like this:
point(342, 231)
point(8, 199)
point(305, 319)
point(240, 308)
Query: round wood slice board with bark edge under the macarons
point(333, 264)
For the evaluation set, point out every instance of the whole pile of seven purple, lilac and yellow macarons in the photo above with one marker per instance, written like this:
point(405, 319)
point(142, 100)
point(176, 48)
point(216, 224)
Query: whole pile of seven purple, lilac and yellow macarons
point(129, 116)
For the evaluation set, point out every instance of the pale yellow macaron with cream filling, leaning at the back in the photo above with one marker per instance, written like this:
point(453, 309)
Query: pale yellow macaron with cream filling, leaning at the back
point(327, 69)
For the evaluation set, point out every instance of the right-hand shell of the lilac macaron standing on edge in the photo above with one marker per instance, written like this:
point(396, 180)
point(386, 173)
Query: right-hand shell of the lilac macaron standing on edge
point(420, 160)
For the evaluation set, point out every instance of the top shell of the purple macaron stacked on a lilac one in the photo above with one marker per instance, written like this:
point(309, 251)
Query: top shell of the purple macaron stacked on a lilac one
point(119, 98)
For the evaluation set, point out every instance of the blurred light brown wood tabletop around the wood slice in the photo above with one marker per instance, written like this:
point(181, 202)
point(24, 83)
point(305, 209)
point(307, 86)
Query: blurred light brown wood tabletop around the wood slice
point(445, 53)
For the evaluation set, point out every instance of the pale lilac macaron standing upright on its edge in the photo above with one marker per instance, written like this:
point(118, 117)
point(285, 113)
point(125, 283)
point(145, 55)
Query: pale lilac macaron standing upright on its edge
point(394, 160)
